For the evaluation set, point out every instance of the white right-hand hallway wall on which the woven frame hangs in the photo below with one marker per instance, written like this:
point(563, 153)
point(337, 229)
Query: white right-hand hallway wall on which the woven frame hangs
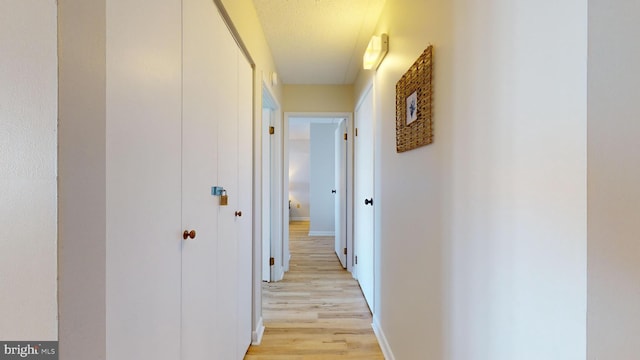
point(486, 227)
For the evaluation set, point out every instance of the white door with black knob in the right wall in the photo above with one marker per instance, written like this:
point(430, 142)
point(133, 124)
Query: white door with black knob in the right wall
point(363, 207)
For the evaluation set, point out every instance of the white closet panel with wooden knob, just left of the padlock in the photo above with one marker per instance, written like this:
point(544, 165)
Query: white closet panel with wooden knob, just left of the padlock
point(199, 174)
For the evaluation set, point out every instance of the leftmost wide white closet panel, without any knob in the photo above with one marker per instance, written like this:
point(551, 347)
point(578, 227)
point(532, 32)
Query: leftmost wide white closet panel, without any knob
point(143, 161)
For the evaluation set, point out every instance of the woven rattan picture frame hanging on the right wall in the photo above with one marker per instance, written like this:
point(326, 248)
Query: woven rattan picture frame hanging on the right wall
point(414, 123)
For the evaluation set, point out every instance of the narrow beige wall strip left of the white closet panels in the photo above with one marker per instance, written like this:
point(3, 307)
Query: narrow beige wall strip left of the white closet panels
point(82, 186)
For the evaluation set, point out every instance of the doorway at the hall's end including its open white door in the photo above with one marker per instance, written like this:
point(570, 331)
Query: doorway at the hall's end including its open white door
point(318, 178)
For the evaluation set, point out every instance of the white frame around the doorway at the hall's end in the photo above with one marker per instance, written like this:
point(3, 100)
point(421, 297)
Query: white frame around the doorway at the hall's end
point(285, 179)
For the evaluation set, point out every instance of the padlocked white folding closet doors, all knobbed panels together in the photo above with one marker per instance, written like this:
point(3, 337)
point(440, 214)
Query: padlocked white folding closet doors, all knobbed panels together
point(217, 151)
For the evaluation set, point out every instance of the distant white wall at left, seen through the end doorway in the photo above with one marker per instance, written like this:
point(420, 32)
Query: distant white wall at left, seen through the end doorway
point(299, 178)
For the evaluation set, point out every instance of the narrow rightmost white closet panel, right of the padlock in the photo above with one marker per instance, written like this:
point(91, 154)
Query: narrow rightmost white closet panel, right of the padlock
point(244, 223)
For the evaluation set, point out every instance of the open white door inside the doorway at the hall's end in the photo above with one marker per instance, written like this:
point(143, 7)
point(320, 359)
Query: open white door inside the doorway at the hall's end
point(340, 188)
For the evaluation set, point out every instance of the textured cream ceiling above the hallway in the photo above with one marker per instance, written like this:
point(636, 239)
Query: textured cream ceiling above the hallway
point(318, 41)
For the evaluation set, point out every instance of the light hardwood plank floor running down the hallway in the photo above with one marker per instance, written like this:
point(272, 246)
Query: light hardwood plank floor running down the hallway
point(317, 311)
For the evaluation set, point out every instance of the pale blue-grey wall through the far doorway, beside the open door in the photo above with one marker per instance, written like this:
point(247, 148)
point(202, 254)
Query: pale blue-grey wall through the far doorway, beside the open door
point(322, 162)
